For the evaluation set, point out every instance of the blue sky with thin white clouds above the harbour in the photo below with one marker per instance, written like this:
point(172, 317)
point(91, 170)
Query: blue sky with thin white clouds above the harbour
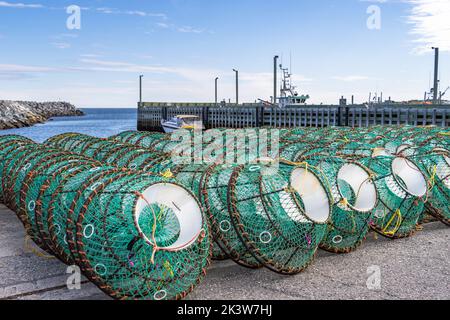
point(182, 45)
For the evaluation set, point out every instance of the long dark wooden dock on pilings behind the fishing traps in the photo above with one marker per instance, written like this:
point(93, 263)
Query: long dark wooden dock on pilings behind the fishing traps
point(150, 115)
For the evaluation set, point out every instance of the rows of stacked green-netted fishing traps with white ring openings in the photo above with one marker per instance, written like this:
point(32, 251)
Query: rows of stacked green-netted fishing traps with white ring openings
point(141, 224)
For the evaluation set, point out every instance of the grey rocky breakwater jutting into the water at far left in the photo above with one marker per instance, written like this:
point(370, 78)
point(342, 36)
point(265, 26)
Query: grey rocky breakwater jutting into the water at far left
point(19, 114)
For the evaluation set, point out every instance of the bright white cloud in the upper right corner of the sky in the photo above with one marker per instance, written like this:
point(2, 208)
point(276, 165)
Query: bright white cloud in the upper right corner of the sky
point(431, 24)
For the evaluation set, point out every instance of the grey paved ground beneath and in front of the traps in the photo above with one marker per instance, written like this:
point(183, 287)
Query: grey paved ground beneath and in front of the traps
point(415, 268)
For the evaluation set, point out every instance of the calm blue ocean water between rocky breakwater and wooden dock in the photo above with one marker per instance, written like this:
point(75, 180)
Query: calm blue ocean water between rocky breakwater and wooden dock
point(97, 122)
